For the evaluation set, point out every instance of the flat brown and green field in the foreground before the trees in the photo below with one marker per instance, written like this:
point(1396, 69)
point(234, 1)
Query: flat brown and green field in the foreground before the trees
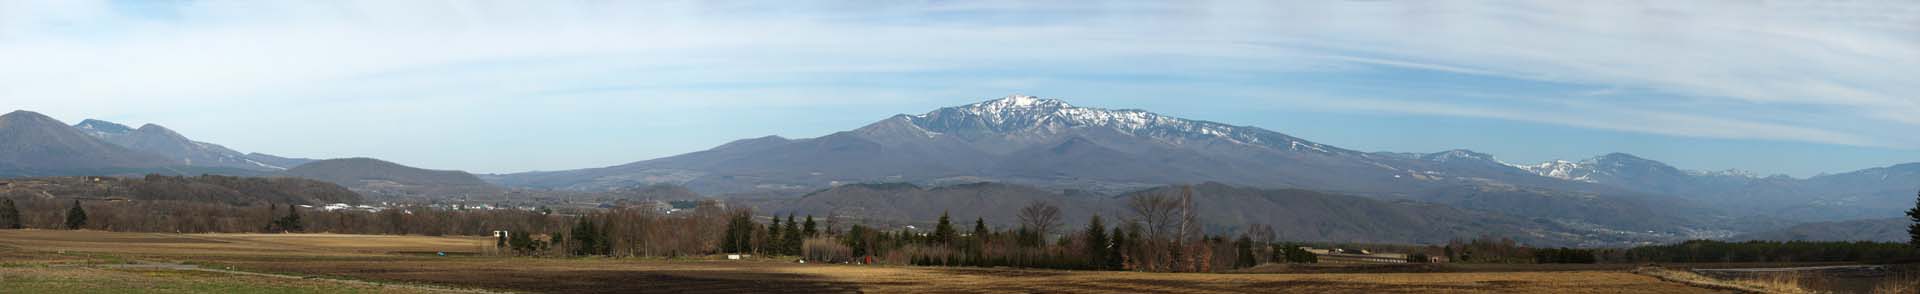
point(57, 258)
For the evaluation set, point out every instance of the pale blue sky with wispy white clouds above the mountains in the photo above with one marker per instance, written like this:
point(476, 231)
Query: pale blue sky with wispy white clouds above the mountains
point(502, 87)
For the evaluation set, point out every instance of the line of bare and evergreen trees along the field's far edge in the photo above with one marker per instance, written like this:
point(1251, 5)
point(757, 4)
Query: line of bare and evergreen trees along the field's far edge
point(1157, 233)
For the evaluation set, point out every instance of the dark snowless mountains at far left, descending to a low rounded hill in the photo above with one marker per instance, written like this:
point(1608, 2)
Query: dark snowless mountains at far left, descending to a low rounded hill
point(34, 145)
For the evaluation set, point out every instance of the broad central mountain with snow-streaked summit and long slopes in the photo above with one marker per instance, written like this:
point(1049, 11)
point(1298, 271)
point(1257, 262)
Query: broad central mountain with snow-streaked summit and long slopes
point(1063, 147)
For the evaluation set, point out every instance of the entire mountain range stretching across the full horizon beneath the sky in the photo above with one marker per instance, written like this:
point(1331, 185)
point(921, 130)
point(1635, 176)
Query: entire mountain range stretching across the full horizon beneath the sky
point(992, 157)
